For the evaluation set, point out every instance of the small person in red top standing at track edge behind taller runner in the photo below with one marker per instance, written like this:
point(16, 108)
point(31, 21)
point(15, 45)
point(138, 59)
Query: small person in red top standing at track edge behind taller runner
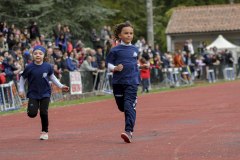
point(145, 74)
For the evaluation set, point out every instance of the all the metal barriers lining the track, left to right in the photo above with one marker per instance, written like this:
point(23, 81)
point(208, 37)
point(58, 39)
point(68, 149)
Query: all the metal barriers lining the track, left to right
point(100, 82)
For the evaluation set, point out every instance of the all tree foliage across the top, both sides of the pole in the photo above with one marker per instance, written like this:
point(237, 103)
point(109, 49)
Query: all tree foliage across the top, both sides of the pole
point(82, 16)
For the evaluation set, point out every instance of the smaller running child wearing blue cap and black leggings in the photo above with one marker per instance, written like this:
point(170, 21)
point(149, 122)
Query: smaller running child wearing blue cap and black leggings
point(38, 75)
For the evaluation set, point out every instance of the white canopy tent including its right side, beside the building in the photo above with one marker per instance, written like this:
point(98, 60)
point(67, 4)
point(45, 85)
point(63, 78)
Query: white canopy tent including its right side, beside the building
point(221, 43)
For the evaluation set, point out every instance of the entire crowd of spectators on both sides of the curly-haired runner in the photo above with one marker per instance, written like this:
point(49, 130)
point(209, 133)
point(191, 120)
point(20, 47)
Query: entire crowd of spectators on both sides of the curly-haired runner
point(16, 46)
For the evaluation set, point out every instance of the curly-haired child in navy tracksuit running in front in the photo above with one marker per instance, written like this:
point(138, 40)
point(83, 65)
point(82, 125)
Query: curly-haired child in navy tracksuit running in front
point(122, 60)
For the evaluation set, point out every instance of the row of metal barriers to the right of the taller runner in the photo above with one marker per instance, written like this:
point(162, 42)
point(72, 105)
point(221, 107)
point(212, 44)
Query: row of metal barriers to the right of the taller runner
point(168, 77)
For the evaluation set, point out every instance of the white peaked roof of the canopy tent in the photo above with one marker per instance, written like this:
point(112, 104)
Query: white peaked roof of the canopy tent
point(222, 43)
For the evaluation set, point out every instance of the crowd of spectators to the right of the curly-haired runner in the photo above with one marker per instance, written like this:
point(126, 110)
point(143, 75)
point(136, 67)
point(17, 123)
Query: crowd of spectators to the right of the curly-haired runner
point(193, 62)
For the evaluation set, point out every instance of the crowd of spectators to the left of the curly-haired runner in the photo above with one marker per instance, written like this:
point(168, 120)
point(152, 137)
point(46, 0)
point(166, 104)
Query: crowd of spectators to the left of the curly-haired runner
point(16, 45)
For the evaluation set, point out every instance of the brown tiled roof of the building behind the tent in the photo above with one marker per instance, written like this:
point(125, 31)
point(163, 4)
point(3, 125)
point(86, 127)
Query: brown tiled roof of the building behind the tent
point(208, 18)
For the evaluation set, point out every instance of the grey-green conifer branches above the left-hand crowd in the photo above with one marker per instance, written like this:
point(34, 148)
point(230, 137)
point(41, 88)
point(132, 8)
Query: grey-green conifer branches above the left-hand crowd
point(80, 16)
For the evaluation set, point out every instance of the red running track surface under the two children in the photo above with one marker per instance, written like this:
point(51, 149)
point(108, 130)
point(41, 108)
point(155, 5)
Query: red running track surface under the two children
point(200, 123)
